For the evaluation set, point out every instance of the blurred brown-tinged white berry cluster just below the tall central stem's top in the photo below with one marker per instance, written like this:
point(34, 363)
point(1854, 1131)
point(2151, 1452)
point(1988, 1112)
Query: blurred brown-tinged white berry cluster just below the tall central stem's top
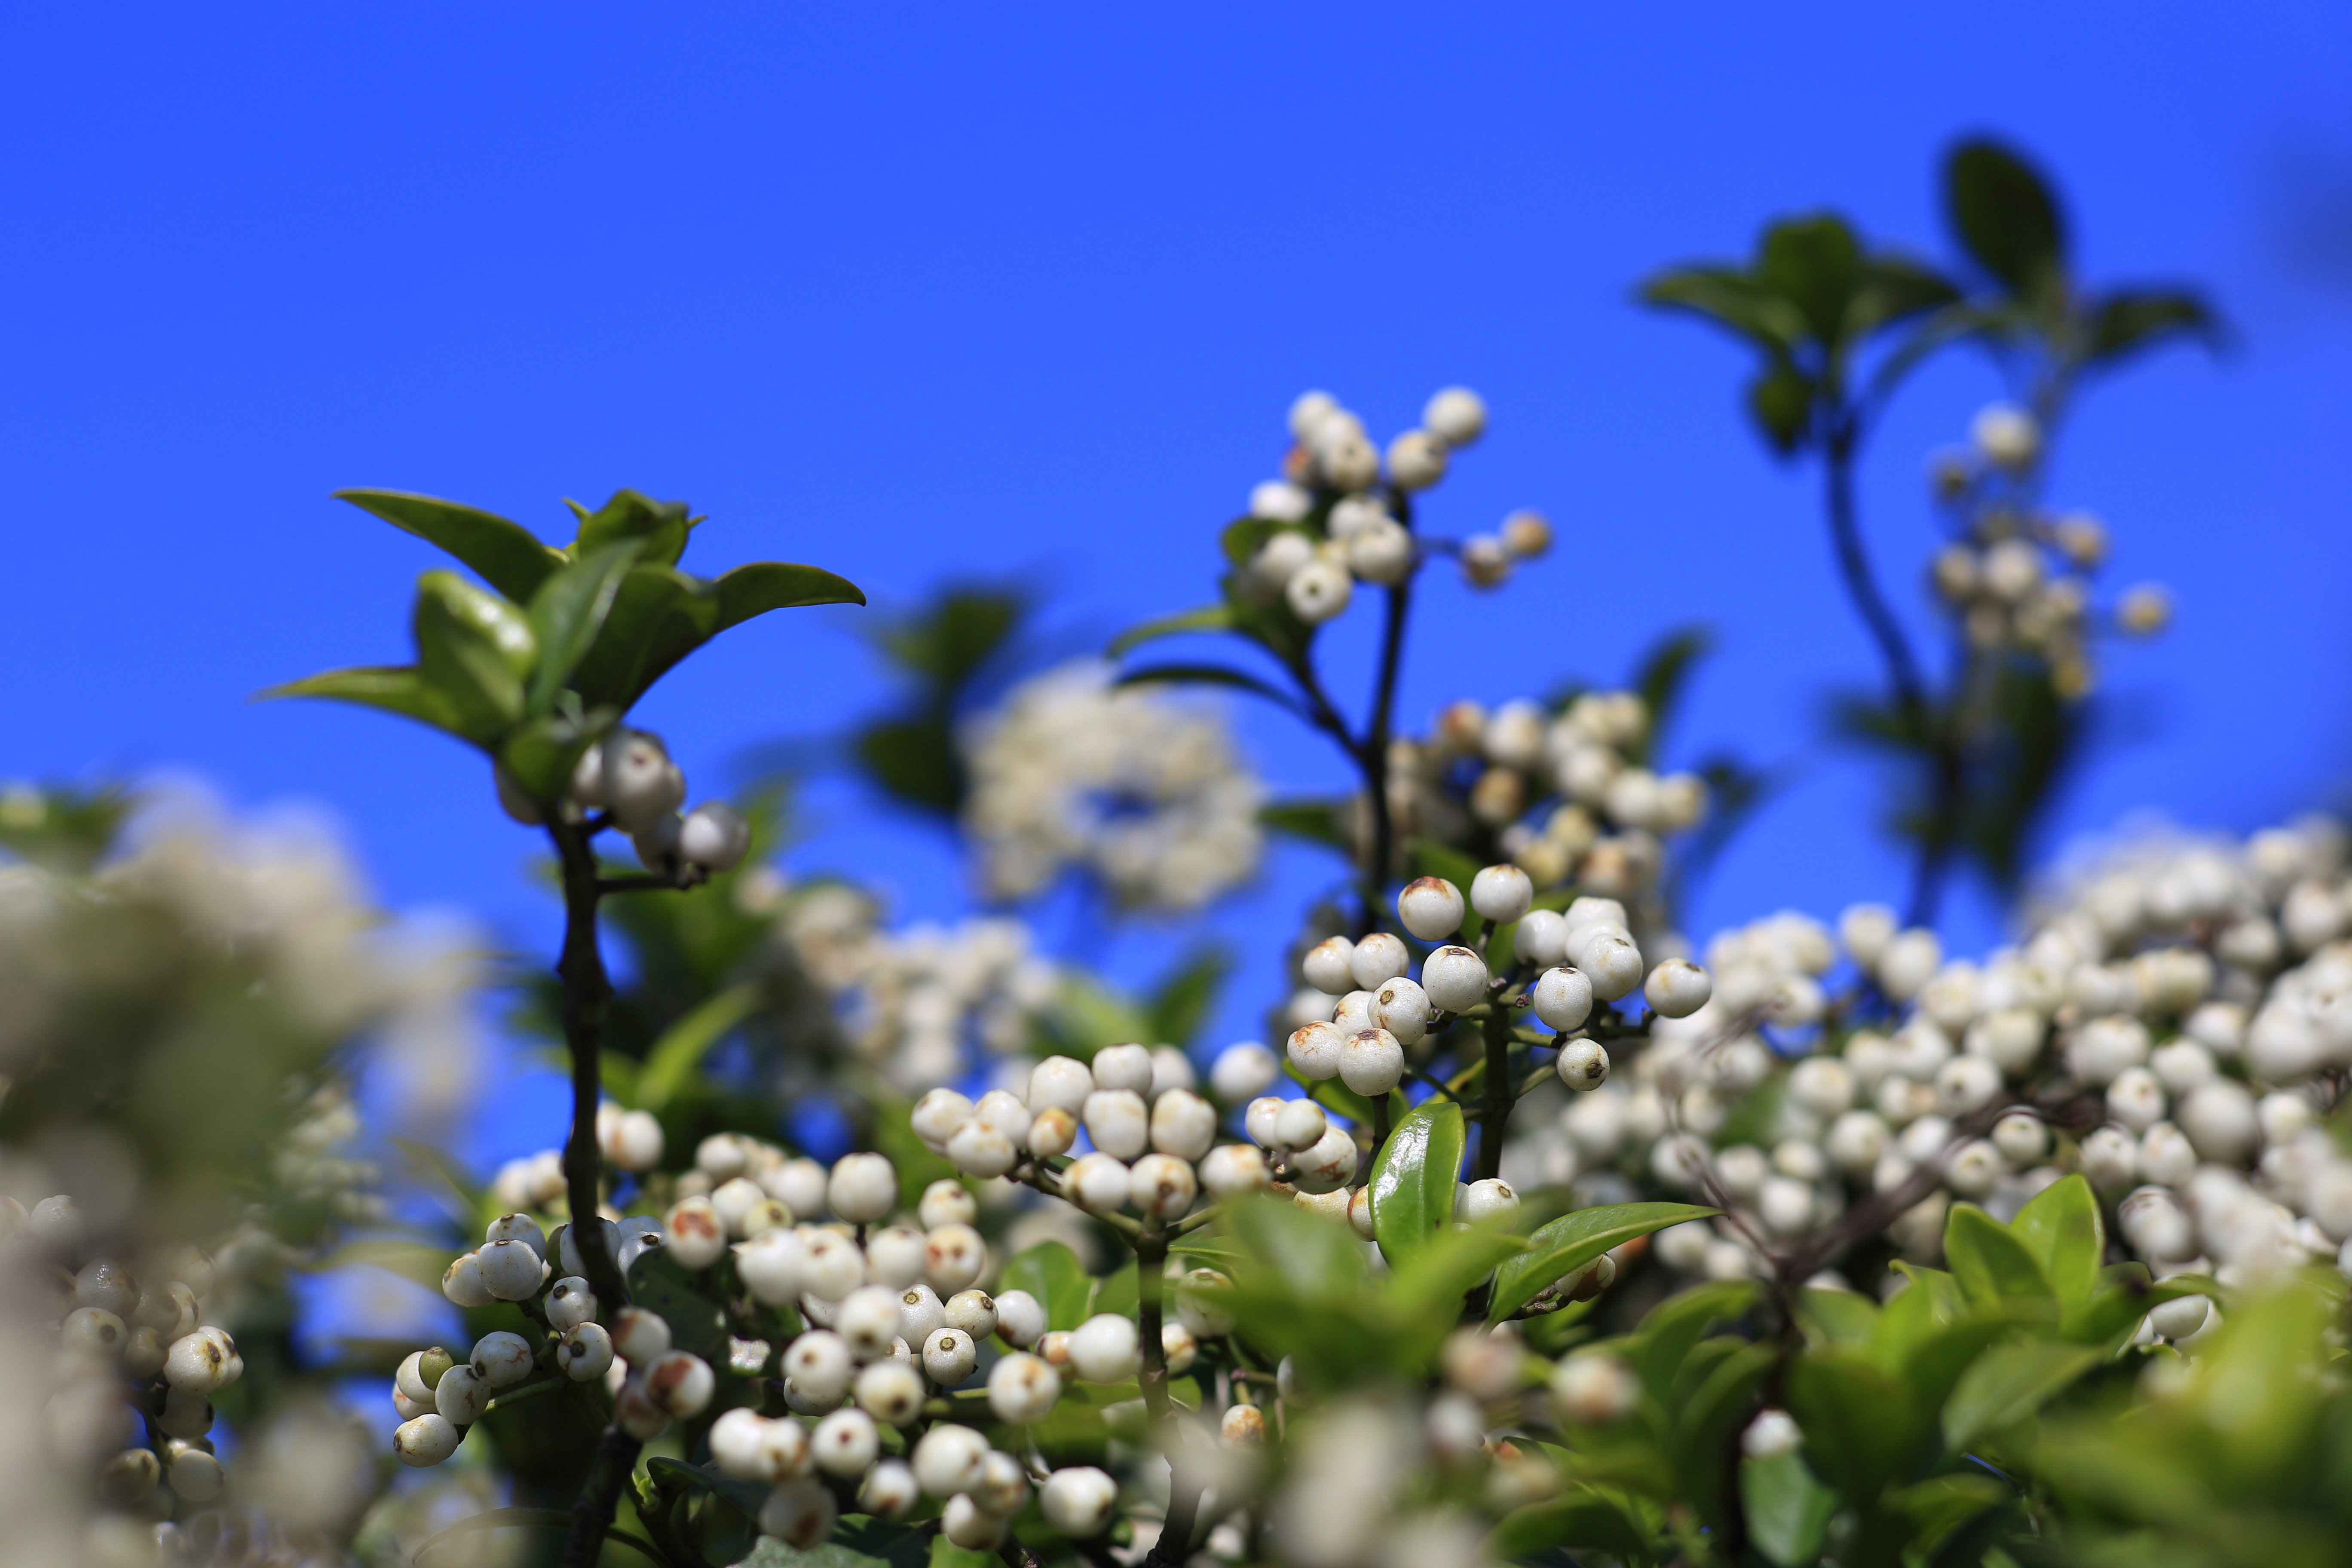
point(1563, 793)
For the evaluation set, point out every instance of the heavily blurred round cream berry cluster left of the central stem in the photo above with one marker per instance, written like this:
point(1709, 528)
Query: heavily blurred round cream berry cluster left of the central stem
point(1125, 784)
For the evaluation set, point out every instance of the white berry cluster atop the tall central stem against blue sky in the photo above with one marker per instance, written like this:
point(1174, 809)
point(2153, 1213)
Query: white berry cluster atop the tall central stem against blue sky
point(1337, 521)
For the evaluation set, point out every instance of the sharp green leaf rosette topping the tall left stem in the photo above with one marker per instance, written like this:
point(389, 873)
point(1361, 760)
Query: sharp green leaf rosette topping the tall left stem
point(561, 643)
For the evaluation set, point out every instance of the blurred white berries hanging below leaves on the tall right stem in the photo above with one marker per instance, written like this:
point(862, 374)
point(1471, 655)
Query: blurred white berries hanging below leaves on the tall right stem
point(2017, 575)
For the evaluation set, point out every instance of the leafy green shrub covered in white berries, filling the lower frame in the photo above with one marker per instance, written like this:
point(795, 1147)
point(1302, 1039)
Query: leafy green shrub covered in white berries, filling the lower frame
point(1537, 1231)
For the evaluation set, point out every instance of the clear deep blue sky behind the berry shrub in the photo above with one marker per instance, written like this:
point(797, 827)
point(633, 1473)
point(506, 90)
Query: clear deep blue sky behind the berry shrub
point(1029, 288)
